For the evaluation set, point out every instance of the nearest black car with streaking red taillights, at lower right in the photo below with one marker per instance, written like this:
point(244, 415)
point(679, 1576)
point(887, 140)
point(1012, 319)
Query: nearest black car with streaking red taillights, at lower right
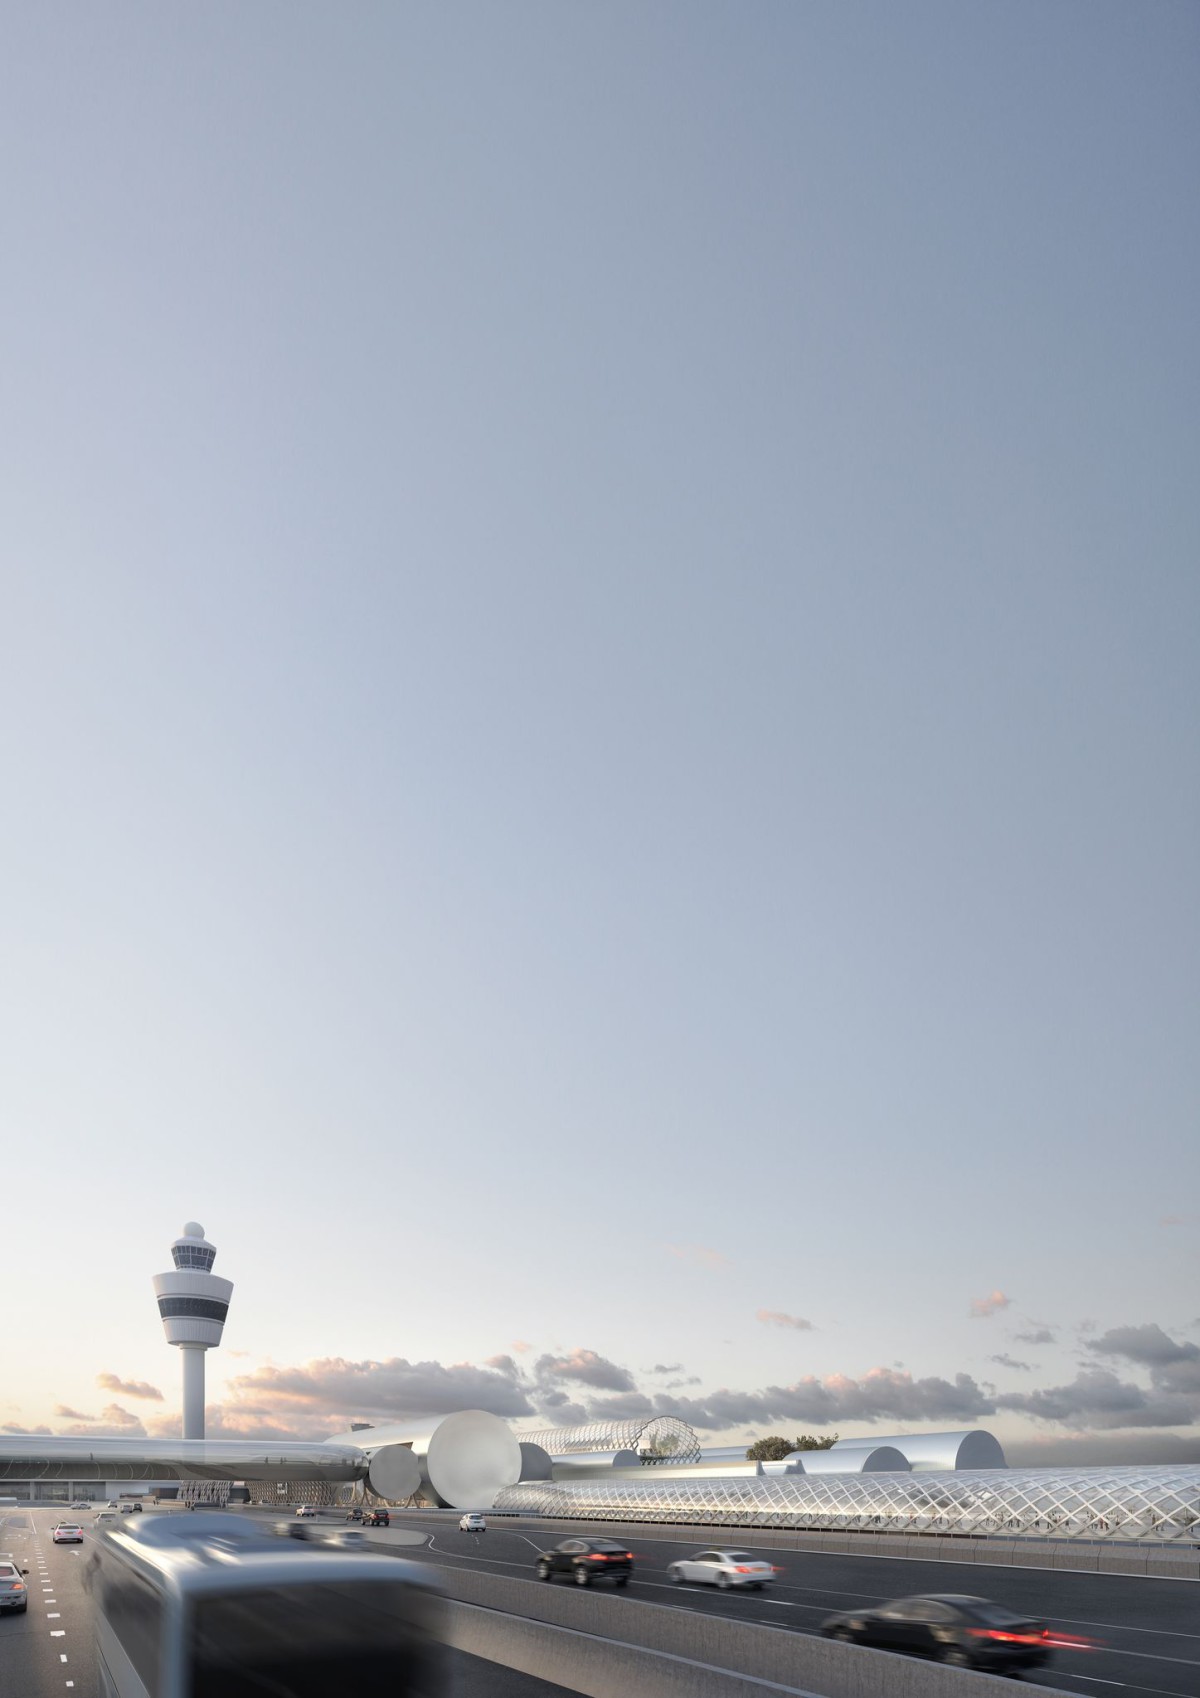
point(967, 1633)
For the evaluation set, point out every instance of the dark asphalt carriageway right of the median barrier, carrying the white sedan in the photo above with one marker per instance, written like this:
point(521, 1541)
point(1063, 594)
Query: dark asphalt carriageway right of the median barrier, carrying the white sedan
point(1145, 1633)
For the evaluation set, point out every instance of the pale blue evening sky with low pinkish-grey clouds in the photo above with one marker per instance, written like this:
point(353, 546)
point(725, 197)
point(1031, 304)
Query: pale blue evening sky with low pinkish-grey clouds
point(600, 697)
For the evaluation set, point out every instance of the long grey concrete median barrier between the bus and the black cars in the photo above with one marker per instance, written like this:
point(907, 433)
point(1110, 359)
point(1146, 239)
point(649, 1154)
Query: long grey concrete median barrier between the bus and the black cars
point(710, 1646)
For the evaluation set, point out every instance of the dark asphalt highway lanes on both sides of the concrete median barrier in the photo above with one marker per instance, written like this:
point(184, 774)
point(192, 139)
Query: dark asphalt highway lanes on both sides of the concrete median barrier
point(1145, 1633)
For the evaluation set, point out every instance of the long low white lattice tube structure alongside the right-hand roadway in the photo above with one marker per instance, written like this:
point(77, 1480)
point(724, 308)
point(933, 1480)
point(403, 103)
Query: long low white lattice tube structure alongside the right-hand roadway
point(1150, 1505)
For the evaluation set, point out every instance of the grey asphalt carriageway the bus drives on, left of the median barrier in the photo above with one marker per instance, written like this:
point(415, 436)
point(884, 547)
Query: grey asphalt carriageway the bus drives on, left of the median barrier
point(50, 1651)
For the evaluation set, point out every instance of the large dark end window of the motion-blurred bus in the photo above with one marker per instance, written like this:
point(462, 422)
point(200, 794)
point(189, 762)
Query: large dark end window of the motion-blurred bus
point(313, 1641)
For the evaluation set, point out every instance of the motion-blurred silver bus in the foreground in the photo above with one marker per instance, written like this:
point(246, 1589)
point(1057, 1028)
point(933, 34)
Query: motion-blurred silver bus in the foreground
point(211, 1607)
